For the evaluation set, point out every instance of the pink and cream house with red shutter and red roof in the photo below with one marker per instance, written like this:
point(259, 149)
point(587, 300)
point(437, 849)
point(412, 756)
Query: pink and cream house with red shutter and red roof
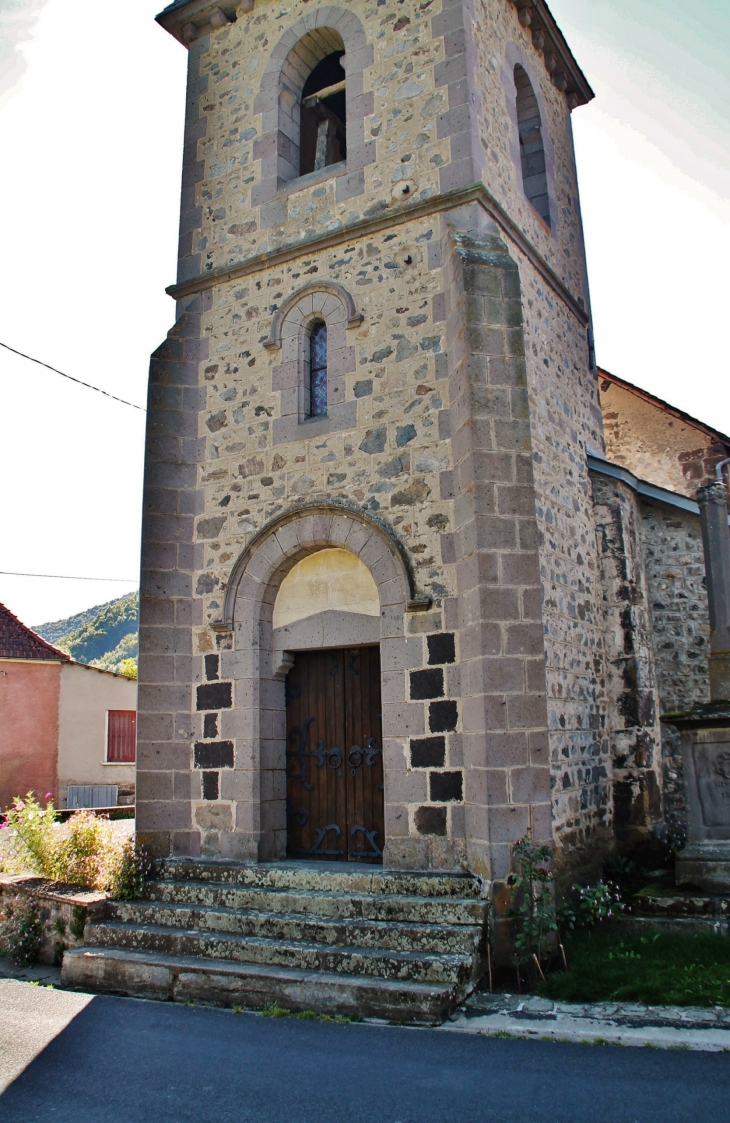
point(65, 728)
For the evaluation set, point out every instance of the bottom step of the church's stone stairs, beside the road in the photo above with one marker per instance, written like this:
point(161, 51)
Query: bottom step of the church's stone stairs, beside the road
point(251, 987)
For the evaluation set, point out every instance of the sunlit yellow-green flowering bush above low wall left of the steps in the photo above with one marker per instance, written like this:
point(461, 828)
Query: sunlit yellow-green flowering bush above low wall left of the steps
point(84, 852)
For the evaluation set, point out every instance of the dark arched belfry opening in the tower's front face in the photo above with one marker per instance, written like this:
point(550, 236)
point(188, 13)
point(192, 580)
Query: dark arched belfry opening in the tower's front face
point(324, 116)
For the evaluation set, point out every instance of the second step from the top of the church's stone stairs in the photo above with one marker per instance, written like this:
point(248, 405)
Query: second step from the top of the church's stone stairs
point(371, 907)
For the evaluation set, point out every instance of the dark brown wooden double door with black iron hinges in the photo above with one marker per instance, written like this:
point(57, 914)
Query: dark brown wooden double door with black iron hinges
point(335, 756)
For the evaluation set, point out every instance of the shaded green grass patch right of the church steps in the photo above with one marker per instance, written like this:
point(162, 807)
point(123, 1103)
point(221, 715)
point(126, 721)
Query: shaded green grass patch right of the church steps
point(660, 970)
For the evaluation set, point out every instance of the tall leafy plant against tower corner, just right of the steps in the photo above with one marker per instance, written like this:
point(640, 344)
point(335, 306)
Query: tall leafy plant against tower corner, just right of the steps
point(533, 906)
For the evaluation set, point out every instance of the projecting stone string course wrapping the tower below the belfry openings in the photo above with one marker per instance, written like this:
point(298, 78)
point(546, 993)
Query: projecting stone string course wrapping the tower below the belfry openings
point(395, 215)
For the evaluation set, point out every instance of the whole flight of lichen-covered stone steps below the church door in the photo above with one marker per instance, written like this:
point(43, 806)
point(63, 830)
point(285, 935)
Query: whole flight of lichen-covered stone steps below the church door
point(325, 937)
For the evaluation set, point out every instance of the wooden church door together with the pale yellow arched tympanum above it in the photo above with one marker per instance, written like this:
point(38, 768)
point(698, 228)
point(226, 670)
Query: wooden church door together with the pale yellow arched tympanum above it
point(335, 790)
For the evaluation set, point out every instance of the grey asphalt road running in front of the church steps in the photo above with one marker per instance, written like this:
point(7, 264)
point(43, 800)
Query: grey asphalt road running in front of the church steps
point(109, 1061)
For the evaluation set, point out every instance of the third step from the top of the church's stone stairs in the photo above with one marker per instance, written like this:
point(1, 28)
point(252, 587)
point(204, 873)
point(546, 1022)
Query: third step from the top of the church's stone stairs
point(458, 939)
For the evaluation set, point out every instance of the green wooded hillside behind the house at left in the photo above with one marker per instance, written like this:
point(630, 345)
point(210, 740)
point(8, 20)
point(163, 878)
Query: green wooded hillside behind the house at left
point(103, 636)
